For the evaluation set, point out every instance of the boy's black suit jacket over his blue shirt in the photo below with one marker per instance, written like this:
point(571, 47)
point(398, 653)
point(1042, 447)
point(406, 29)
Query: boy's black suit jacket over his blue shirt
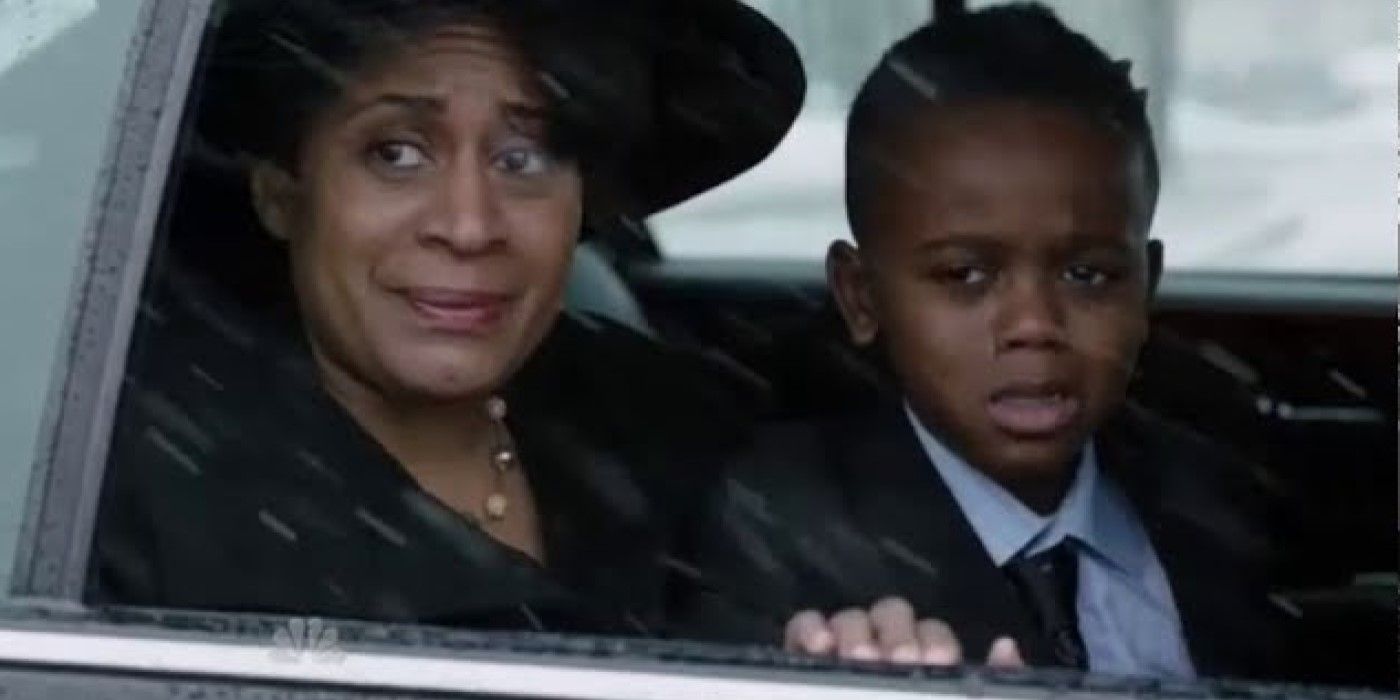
point(841, 513)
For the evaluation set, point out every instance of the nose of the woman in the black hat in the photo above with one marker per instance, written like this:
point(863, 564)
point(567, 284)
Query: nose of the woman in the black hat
point(467, 212)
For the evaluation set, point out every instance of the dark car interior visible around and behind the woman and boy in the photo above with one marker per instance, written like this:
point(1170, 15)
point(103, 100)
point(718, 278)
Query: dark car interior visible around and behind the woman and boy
point(1293, 374)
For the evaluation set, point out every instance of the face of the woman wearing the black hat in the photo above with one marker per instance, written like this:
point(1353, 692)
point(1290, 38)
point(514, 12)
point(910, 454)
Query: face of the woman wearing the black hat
point(430, 229)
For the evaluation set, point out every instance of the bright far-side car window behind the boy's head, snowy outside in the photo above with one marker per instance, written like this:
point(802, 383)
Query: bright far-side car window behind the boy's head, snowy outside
point(1277, 136)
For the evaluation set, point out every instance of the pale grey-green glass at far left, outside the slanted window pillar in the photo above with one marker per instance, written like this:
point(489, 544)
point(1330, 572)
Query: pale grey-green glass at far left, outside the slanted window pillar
point(61, 68)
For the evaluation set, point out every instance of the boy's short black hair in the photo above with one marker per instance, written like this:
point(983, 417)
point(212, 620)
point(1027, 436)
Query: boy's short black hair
point(1016, 51)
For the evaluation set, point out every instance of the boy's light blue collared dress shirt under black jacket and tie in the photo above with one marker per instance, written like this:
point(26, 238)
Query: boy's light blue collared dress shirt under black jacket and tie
point(1128, 615)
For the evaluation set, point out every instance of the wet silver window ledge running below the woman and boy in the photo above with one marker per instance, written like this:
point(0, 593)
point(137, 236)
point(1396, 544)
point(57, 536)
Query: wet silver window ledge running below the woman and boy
point(205, 654)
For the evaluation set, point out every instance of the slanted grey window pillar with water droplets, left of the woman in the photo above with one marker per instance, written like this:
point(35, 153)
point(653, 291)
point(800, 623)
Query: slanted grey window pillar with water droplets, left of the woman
point(61, 510)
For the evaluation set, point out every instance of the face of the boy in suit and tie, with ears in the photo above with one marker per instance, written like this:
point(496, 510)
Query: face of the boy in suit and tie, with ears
point(1007, 274)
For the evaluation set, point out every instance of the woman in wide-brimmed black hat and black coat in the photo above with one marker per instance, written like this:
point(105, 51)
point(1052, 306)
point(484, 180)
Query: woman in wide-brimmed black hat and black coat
point(409, 430)
